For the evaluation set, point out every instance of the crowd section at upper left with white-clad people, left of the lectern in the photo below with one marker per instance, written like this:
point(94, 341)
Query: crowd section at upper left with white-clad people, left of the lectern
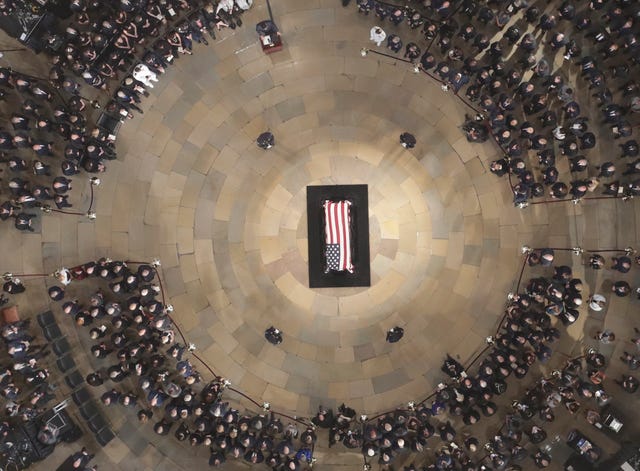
point(132, 42)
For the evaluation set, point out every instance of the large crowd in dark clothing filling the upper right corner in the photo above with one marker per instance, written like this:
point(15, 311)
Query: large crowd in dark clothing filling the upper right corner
point(490, 54)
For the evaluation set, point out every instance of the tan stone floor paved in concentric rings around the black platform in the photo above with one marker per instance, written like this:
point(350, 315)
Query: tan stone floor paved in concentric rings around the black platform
point(228, 222)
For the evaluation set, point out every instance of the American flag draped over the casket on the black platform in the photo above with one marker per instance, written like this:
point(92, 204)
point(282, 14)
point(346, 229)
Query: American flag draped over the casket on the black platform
point(337, 217)
